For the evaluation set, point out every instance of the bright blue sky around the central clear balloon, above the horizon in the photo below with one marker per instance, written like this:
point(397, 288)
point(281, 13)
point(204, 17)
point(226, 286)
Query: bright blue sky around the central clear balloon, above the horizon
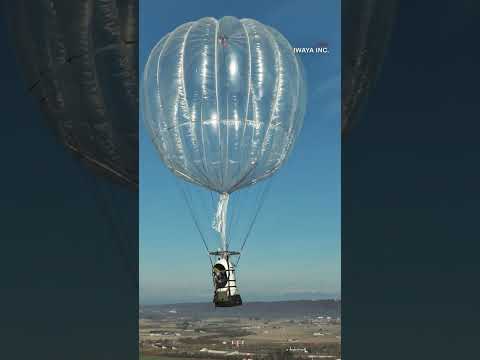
point(297, 236)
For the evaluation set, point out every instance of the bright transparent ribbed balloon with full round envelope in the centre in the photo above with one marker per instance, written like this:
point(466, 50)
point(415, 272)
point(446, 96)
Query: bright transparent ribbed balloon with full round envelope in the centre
point(224, 102)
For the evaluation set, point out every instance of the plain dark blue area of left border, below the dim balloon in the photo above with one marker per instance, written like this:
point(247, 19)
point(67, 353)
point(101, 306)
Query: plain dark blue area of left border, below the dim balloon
point(68, 285)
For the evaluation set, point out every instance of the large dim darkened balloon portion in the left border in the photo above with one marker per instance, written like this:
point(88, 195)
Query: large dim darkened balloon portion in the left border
point(80, 59)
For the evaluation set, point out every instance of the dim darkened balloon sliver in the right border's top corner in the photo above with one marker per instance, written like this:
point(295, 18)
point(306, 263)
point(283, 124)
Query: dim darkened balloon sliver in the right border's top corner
point(366, 27)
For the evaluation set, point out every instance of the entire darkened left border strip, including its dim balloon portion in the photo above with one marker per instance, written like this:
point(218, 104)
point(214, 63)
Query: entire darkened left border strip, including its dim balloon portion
point(68, 209)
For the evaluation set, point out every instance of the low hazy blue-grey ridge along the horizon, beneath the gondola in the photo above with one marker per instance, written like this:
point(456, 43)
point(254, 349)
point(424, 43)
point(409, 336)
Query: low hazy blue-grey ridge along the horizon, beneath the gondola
point(297, 309)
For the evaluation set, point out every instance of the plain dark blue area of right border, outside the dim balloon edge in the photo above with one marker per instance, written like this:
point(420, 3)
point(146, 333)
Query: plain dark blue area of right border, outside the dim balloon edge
point(410, 194)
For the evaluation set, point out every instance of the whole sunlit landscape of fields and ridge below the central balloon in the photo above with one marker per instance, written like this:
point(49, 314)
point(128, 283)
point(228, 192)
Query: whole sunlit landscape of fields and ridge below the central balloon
point(258, 330)
